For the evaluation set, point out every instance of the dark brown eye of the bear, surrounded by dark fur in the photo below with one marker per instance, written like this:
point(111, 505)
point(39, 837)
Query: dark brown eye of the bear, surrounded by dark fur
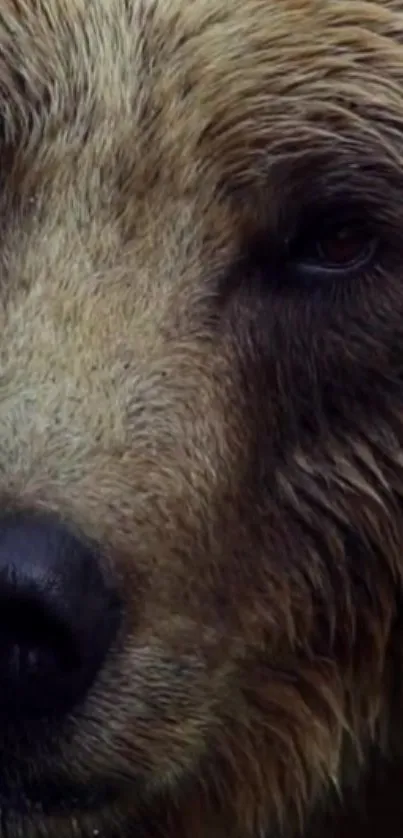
point(335, 247)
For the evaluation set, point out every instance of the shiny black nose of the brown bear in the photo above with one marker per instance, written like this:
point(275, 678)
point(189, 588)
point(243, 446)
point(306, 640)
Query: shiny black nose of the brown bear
point(58, 617)
